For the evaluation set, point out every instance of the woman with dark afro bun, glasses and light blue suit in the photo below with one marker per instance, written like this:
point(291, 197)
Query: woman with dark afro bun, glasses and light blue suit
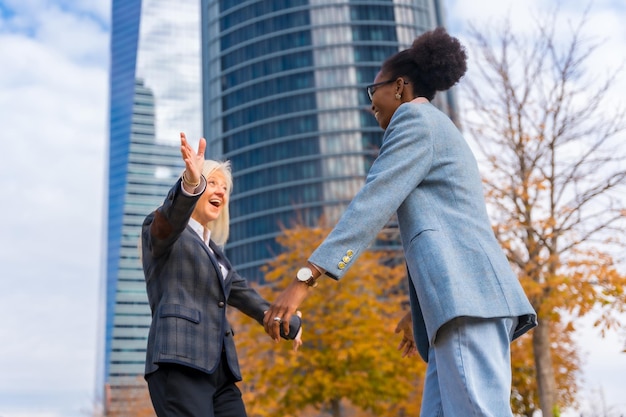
point(467, 305)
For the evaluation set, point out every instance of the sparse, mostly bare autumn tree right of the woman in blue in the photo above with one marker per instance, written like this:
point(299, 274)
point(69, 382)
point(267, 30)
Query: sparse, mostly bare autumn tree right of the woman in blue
point(551, 145)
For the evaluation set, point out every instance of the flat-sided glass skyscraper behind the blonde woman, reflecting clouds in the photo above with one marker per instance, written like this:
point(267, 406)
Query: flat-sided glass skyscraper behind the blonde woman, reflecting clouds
point(155, 92)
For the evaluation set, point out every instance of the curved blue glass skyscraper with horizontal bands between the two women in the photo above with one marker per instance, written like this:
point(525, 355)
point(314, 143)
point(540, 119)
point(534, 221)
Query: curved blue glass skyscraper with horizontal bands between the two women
point(284, 101)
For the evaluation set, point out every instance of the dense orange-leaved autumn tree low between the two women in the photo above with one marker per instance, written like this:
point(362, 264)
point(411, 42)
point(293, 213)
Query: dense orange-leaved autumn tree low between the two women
point(349, 365)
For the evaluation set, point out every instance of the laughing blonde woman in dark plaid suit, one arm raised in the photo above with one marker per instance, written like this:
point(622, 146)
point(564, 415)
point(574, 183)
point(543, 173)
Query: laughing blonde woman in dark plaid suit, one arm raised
point(191, 362)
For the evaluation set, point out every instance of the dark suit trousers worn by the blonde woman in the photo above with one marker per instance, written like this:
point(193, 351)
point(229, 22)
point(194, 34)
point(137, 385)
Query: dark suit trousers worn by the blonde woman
point(181, 391)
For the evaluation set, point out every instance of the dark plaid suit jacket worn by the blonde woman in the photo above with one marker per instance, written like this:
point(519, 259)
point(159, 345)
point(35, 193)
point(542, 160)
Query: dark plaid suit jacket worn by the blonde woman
point(187, 293)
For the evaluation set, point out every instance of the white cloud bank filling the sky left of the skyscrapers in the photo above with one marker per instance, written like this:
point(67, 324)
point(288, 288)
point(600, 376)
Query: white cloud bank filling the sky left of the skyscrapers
point(52, 155)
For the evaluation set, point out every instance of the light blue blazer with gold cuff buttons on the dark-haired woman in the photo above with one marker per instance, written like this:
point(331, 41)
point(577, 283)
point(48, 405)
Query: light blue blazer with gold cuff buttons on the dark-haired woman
point(426, 173)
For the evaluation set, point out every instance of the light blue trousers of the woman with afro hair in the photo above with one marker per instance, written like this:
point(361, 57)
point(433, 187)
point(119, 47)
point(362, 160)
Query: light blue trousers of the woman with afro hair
point(469, 369)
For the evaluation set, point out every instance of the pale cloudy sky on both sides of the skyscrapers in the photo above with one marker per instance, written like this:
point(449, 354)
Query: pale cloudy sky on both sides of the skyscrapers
point(54, 57)
